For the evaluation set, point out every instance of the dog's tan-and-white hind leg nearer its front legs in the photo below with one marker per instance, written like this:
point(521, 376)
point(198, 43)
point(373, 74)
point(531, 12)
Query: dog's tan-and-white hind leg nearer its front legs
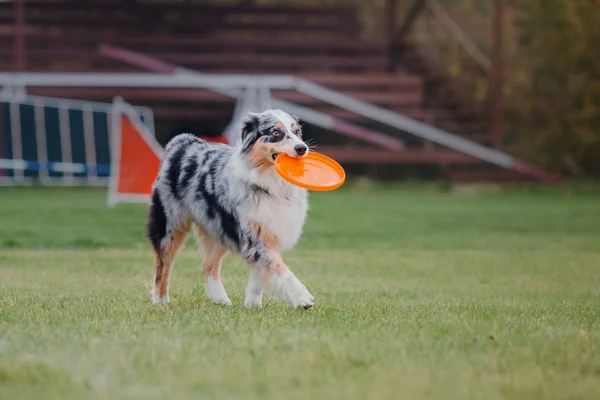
point(213, 256)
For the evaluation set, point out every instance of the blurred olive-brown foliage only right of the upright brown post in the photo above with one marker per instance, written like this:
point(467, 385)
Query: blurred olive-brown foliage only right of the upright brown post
point(555, 84)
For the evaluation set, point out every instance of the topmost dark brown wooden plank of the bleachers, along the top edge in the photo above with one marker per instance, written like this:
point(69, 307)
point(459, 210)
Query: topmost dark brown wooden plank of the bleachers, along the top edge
point(197, 17)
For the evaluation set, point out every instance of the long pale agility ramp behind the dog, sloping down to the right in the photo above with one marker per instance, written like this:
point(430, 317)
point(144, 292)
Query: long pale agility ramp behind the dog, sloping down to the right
point(258, 88)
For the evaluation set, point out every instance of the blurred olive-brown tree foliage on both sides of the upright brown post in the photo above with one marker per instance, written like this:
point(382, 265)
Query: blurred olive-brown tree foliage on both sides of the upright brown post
point(552, 75)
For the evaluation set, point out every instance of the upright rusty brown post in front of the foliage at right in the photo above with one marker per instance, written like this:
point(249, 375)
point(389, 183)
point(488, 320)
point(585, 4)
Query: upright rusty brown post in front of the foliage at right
point(497, 73)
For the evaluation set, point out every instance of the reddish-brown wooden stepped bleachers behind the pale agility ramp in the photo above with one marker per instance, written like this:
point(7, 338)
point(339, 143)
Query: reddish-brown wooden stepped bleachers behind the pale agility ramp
point(321, 44)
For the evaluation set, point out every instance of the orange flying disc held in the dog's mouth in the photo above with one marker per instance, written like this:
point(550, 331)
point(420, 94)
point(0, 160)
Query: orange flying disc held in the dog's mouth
point(315, 171)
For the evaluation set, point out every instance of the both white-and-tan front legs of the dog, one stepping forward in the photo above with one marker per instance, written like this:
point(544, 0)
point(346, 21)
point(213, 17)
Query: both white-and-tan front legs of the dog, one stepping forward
point(269, 273)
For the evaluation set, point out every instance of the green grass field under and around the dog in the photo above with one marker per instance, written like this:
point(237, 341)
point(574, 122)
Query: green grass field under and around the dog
point(420, 293)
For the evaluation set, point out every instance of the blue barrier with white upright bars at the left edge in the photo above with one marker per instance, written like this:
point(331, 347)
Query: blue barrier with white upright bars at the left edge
point(56, 138)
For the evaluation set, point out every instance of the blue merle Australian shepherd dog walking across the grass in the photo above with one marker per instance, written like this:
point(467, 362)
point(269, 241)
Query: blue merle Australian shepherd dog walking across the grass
point(234, 201)
